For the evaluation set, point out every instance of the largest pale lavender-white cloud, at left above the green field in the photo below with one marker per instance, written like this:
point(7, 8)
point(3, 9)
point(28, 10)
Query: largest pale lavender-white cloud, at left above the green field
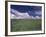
point(19, 15)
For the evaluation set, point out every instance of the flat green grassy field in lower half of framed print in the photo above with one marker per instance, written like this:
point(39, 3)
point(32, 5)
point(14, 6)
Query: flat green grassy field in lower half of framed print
point(25, 25)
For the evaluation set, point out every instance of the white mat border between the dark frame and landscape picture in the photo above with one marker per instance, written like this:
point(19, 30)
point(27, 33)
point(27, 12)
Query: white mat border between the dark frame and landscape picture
point(25, 32)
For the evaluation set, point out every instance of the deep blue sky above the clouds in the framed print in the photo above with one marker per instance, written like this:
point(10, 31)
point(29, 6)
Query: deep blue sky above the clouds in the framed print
point(31, 10)
